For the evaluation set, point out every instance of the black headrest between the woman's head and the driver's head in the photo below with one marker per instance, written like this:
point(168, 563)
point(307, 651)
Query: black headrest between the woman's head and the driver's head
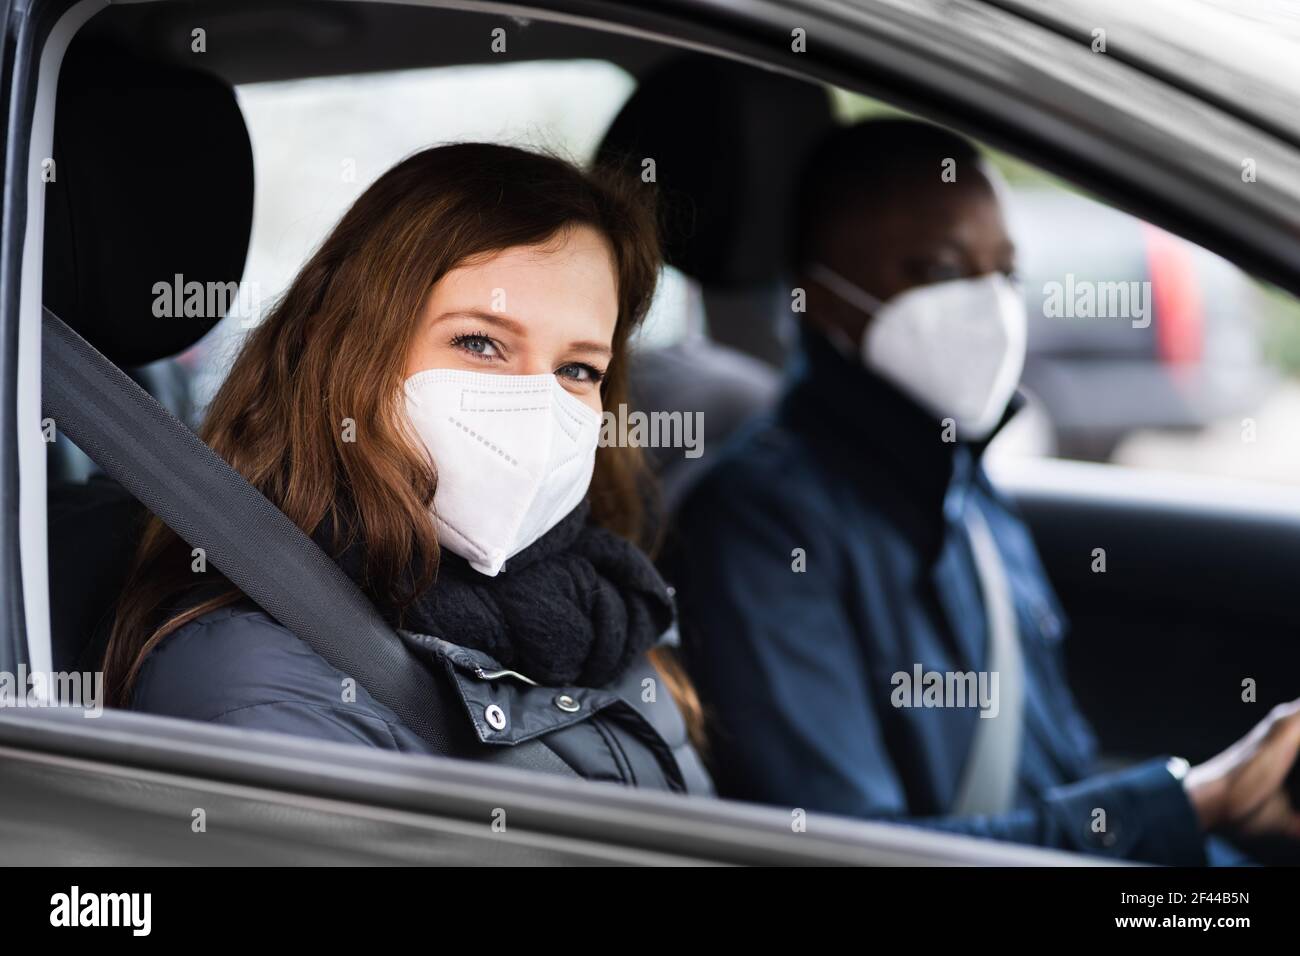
point(727, 144)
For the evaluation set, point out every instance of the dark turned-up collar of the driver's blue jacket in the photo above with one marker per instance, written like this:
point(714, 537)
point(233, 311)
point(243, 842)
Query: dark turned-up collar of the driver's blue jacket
point(877, 427)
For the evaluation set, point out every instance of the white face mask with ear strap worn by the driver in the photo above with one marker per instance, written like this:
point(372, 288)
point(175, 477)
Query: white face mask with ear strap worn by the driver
point(956, 348)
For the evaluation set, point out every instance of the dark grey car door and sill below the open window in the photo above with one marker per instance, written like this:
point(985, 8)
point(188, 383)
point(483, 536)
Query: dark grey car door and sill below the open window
point(131, 789)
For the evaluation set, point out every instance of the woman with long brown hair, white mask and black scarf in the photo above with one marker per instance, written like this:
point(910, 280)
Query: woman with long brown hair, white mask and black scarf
point(426, 401)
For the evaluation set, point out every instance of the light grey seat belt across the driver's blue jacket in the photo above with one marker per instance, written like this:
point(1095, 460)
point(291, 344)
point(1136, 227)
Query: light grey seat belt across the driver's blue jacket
point(994, 763)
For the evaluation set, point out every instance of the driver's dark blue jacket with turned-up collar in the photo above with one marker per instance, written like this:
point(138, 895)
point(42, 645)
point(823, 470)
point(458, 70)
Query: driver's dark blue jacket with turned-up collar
point(822, 555)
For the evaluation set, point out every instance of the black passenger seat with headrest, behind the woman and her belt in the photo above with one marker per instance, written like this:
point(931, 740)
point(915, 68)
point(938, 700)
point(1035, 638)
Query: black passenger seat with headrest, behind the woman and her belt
point(154, 180)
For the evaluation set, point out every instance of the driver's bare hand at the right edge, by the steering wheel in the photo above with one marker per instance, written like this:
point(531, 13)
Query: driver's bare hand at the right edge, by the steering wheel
point(1243, 789)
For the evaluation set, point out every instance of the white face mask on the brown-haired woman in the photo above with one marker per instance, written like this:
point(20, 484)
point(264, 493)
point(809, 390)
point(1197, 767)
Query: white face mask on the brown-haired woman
point(514, 456)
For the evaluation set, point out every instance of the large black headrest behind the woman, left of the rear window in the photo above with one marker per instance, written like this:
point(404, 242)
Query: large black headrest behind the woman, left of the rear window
point(153, 179)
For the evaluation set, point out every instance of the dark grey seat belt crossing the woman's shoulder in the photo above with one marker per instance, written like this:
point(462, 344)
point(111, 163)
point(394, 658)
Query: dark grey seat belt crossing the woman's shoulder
point(253, 543)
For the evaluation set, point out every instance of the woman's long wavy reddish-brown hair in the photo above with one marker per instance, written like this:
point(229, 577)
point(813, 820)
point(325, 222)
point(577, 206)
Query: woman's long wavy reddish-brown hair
point(335, 348)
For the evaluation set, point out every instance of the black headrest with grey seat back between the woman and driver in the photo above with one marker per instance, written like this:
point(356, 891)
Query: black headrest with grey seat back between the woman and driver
point(727, 141)
